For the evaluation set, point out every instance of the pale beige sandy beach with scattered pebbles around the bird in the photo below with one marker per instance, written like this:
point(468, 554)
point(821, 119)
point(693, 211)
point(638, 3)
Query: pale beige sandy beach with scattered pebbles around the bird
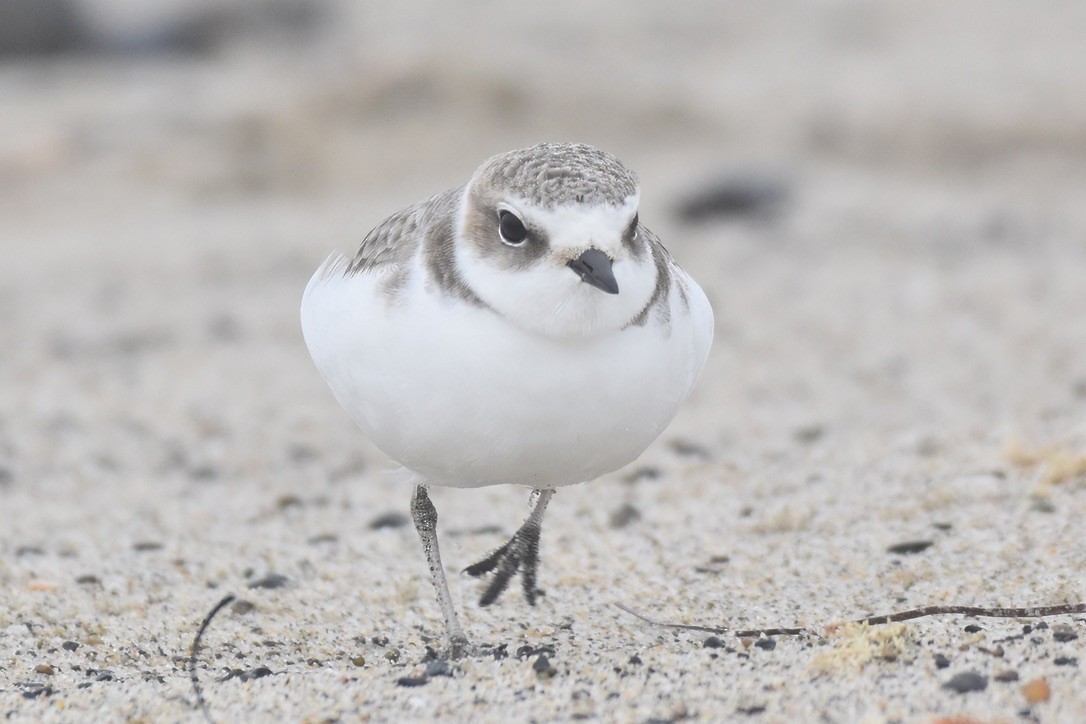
point(901, 358)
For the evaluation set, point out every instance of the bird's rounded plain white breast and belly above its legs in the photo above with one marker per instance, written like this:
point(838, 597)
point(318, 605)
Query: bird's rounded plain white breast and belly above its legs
point(463, 398)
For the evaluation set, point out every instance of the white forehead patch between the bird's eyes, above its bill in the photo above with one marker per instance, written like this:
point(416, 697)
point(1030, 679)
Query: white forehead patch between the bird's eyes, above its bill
point(577, 227)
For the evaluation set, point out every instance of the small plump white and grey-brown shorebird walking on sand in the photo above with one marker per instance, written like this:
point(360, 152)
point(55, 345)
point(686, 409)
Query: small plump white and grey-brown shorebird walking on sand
point(524, 328)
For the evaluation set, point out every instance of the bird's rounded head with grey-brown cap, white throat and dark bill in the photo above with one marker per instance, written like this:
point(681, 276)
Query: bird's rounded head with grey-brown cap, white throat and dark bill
point(550, 238)
